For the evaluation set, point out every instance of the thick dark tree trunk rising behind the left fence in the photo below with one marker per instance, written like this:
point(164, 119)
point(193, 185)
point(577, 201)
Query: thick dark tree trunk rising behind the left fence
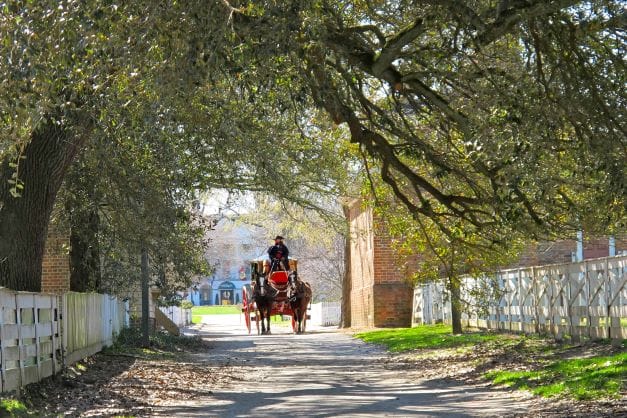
point(24, 220)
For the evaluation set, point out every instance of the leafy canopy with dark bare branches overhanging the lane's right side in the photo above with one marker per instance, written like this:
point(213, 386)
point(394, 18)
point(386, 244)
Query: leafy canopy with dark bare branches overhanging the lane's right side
point(507, 113)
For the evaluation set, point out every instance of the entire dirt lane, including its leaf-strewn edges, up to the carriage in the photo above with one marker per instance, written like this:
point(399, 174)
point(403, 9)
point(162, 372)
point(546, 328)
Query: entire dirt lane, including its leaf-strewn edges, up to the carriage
point(323, 373)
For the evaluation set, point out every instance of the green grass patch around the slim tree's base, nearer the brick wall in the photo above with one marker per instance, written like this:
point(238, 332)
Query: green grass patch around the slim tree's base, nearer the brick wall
point(426, 336)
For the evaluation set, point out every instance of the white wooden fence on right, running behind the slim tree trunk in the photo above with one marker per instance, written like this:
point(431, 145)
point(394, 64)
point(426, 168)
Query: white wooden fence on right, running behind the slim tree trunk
point(585, 299)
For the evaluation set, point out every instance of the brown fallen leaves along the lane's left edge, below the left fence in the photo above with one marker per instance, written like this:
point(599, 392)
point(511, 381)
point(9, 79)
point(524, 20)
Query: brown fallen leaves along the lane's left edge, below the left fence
point(110, 385)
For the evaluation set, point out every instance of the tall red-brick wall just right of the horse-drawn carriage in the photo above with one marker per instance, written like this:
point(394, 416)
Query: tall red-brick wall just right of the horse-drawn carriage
point(380, 297)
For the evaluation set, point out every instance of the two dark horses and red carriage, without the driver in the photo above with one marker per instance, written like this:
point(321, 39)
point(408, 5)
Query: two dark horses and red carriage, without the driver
point(277, 293)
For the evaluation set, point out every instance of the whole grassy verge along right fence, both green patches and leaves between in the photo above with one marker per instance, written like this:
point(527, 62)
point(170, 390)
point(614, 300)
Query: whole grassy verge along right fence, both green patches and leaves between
point(549, 369)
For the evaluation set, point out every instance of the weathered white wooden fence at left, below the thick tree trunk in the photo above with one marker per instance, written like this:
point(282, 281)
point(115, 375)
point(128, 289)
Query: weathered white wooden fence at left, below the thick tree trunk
point(40, 333)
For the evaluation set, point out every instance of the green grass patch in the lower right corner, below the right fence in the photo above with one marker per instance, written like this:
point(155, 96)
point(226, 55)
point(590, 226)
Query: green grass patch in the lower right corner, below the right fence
point(585, 378)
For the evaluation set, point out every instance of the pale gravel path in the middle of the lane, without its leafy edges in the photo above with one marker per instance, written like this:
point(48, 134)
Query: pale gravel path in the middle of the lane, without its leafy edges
point(325, 373)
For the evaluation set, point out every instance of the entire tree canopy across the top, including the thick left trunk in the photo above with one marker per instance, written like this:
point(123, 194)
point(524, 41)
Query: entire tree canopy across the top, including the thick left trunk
point(486, 117)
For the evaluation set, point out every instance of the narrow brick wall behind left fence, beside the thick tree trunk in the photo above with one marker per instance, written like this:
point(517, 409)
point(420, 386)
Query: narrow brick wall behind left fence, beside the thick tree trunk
point(55, 274)
